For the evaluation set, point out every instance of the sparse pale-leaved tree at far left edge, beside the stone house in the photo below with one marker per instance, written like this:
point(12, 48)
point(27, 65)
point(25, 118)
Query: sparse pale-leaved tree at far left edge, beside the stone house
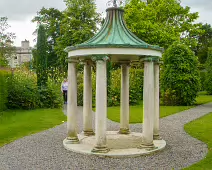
point(6, 41)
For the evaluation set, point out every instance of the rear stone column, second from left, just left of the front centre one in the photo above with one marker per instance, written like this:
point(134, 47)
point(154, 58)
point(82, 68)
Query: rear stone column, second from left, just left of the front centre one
point(87, 100)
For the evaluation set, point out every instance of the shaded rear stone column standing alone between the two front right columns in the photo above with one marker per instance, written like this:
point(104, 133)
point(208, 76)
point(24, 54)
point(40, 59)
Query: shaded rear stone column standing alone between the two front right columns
point(124, 115)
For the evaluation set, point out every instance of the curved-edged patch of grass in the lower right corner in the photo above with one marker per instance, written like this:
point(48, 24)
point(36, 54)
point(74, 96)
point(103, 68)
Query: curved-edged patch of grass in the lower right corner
point(202, 130)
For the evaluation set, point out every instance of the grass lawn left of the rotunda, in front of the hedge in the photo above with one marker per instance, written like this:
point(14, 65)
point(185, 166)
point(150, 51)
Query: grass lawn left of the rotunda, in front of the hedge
point(15, 124)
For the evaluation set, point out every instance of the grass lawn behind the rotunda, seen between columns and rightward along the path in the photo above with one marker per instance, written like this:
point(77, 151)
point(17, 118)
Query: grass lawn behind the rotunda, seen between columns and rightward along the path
point(136, 112)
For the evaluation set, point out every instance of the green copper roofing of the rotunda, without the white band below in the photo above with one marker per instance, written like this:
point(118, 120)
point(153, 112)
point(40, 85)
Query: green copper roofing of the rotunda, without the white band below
point(114, 33)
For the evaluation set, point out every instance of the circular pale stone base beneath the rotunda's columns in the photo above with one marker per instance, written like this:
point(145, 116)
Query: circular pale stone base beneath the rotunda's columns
point(120, 145)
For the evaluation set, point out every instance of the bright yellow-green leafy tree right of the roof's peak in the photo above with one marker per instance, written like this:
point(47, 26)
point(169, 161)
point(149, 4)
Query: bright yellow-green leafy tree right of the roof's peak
point(161, 22)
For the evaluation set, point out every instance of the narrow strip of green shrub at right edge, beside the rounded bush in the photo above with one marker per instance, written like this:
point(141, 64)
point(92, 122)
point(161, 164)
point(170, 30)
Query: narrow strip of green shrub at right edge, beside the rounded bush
point(209, 71)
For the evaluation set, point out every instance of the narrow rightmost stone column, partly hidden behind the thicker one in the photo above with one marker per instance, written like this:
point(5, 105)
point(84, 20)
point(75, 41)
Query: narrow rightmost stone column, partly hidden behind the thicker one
point(157, 102)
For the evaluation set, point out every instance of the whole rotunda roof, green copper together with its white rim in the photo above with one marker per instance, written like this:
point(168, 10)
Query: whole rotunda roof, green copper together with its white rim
point(113, 38)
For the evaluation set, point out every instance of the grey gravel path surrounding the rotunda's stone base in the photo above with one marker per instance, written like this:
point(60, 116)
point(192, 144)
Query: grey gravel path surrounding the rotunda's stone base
point(45, 150)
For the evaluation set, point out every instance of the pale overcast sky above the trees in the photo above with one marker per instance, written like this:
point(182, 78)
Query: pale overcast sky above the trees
point(21, 12)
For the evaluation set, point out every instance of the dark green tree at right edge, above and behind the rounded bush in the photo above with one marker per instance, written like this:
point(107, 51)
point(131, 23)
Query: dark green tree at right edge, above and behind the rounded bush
point(204, 41)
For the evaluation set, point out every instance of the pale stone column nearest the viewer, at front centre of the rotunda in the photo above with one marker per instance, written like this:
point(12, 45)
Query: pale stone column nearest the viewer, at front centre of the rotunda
point(101, 106)
